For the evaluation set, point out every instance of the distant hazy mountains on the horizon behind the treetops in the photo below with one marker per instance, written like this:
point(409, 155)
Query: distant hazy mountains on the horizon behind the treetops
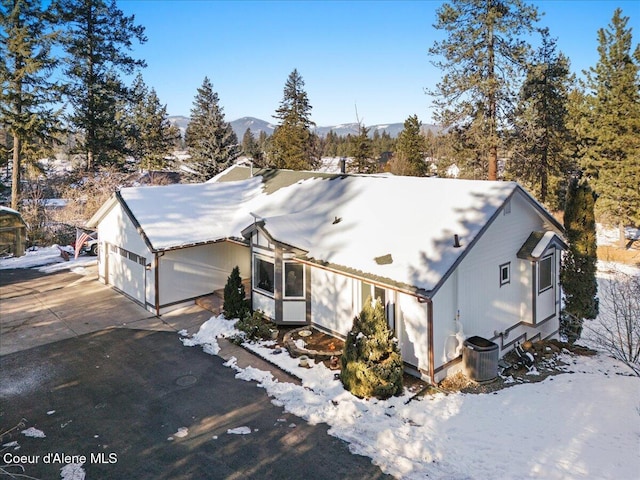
point(256, 126)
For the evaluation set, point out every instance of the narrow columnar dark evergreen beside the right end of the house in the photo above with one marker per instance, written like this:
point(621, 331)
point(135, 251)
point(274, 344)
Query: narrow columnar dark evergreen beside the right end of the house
point(578, 274)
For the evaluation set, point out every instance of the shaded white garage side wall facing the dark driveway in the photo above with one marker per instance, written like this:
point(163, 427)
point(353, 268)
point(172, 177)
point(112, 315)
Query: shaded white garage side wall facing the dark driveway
point(195, 271)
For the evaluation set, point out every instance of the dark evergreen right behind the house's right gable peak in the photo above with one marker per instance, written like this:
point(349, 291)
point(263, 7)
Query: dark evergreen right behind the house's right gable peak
point(540, 135)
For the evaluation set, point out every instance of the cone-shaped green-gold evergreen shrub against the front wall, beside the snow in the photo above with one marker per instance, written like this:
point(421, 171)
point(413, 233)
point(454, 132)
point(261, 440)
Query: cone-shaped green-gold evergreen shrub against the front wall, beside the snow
point(371, 361)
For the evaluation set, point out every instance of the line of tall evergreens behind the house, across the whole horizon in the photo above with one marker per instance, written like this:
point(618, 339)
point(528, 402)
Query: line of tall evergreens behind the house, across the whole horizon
point(497, 99)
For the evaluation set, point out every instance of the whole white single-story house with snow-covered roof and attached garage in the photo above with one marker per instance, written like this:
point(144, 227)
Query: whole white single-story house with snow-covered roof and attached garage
point(448, 258)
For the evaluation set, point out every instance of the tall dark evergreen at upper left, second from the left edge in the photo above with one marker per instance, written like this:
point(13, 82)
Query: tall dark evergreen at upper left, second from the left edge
point(96, 40)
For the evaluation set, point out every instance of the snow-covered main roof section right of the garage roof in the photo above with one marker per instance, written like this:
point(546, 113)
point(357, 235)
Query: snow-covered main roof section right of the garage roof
point(395, 228)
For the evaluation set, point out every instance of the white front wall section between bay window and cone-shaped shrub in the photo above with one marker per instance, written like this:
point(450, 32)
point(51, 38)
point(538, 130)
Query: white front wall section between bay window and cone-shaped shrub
point(332, 301)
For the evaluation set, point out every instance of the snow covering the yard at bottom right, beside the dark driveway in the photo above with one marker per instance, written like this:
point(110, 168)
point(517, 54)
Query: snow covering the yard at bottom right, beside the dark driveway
point(576, 425)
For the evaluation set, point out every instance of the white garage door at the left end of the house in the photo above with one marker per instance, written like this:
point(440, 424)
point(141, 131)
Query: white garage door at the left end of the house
point(127, 272)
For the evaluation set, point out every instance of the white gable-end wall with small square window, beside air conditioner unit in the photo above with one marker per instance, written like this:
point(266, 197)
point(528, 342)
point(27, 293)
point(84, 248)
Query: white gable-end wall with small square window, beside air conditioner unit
point(472, 301)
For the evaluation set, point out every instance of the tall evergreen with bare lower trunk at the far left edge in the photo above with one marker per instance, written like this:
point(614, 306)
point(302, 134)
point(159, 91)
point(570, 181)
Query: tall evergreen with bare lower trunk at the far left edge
point(27, 96)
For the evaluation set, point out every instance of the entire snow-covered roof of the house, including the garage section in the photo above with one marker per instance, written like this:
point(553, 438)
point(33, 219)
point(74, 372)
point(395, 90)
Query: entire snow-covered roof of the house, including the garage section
point(399, 230)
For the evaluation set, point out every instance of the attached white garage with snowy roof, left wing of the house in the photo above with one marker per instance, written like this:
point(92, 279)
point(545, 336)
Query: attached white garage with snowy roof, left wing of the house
point(166, 246)
